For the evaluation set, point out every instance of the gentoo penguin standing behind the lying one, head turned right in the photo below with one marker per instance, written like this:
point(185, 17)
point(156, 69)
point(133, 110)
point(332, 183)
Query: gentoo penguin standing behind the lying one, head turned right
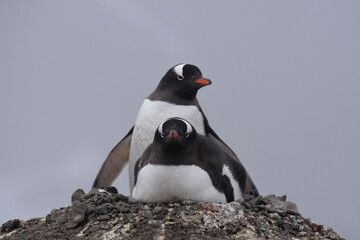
point(175, 96)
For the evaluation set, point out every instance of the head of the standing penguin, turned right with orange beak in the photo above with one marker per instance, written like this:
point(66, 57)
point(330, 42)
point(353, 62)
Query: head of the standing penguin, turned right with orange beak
point(184, 80)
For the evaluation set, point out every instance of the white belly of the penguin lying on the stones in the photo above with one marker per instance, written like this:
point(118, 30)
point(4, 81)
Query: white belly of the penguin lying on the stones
point(160, 183)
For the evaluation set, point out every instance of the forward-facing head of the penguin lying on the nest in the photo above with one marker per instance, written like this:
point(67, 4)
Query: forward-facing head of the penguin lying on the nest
point(175, 135)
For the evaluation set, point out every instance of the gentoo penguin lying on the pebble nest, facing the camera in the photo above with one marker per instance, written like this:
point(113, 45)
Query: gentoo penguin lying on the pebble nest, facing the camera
point(180, 164)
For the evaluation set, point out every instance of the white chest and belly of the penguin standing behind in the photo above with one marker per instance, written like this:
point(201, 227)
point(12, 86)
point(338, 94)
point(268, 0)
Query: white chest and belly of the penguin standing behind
point(150, 115)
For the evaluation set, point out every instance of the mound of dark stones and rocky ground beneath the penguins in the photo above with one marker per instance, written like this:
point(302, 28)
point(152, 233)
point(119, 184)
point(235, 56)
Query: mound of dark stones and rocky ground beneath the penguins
point(106, 215)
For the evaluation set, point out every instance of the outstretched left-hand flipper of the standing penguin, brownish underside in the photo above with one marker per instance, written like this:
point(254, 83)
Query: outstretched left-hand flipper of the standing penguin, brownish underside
point(114, 163)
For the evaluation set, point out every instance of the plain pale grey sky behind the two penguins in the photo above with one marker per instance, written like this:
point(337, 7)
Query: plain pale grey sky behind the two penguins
point(285, 94)
